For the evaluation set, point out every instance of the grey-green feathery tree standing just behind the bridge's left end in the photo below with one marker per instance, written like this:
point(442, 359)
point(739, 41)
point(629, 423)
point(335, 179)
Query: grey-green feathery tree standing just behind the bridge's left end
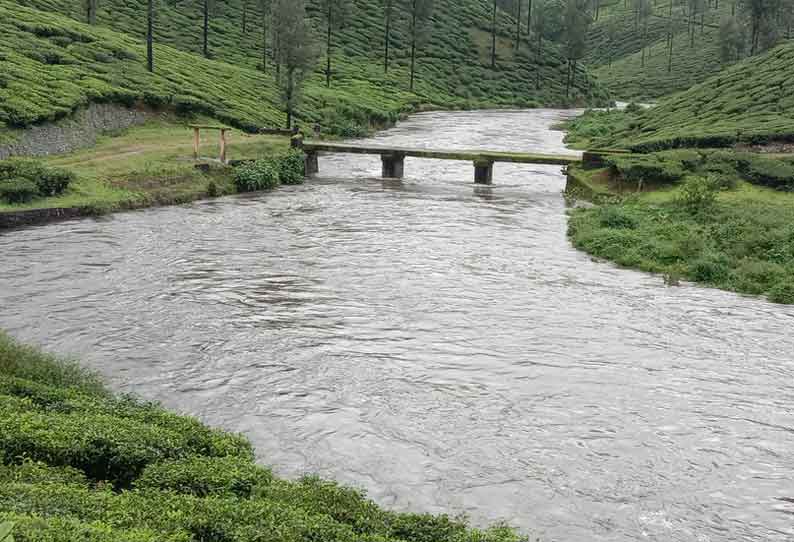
point(296, 52)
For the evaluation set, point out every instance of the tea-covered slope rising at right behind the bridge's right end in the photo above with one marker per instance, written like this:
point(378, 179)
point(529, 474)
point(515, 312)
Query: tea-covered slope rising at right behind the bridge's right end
point(750, 102)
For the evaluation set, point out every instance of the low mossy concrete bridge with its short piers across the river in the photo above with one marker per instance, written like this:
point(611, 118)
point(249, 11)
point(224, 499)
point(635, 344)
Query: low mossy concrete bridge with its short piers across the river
point(393, 158)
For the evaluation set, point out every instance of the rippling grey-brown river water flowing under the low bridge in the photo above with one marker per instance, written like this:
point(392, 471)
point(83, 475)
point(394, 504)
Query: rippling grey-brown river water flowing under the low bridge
point(436, 343)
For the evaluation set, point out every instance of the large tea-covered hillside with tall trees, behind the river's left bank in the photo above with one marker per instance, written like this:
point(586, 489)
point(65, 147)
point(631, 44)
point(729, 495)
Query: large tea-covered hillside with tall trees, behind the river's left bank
point(52, 64)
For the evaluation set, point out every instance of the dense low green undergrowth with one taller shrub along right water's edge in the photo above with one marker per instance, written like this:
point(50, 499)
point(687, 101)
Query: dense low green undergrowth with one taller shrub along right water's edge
point(739, 244)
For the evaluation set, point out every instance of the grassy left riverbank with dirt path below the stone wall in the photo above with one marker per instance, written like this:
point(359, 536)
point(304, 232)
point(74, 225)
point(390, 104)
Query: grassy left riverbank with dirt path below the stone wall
point(144, 166)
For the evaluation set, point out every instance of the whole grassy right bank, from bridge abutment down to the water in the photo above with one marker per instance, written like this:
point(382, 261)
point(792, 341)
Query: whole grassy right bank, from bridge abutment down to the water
point(713, 228)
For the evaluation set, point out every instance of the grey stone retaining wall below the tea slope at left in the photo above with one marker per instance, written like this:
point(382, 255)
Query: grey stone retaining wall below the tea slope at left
point(81, 130)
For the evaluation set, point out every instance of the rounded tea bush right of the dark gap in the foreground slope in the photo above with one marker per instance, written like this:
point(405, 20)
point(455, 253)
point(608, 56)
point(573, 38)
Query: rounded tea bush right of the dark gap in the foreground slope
point(203, 476)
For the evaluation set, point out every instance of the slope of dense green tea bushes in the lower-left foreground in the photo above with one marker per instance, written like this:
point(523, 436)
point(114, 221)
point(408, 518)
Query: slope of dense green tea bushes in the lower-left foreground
point(80, 463)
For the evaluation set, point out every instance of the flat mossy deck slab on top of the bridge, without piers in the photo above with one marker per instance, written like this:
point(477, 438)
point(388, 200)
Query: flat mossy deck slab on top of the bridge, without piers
point(469, 155)
